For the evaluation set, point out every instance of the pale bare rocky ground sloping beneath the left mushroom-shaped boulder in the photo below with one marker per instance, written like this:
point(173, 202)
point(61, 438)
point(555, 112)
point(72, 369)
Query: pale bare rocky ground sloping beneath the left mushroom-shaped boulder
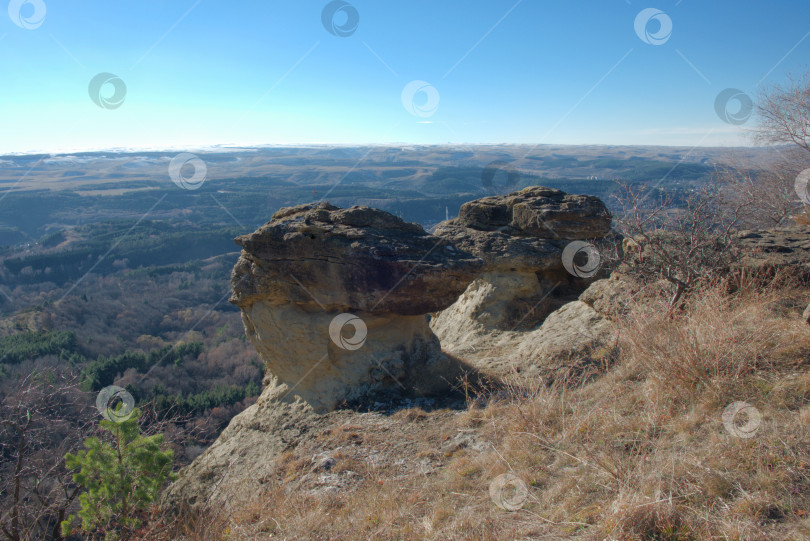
point(263, 448)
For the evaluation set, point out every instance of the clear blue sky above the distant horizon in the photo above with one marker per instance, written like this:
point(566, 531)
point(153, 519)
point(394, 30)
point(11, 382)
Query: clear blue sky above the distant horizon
point(267, 72)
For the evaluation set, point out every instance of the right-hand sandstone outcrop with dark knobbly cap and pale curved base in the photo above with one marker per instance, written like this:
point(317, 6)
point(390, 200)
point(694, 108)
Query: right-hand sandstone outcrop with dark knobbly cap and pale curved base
point(522, 237)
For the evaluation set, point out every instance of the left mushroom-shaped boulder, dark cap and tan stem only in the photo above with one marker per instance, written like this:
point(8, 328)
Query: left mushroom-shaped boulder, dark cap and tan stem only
point(376, 274)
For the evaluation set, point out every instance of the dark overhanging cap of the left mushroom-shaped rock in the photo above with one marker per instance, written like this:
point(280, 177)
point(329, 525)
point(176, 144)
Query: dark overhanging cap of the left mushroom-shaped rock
point(356, 259)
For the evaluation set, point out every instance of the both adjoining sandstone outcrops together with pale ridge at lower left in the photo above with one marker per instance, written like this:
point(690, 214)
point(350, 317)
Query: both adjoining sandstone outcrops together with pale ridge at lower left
point(315, 271)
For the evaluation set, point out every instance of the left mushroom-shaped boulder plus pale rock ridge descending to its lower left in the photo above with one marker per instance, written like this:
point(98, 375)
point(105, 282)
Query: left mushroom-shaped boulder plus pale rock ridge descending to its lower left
point(335, 302)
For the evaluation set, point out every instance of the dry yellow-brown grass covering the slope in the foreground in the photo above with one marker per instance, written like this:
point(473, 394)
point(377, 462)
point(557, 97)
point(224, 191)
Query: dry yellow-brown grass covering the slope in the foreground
point(638, 453)
